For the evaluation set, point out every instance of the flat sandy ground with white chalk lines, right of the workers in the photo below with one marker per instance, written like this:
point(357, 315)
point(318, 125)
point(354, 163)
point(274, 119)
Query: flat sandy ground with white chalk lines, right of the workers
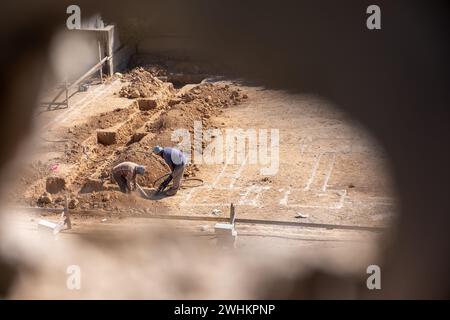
point(329, 169)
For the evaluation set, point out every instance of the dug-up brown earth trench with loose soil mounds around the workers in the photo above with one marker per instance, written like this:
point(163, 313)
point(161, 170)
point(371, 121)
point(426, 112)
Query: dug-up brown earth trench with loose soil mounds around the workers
point(91, 149)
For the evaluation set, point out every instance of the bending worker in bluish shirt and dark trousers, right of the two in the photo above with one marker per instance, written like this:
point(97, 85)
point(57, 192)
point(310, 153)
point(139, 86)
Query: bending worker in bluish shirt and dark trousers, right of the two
point(176, 160)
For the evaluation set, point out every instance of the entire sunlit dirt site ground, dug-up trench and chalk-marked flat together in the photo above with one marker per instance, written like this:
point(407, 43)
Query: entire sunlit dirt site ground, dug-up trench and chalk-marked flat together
point(330, 171)
